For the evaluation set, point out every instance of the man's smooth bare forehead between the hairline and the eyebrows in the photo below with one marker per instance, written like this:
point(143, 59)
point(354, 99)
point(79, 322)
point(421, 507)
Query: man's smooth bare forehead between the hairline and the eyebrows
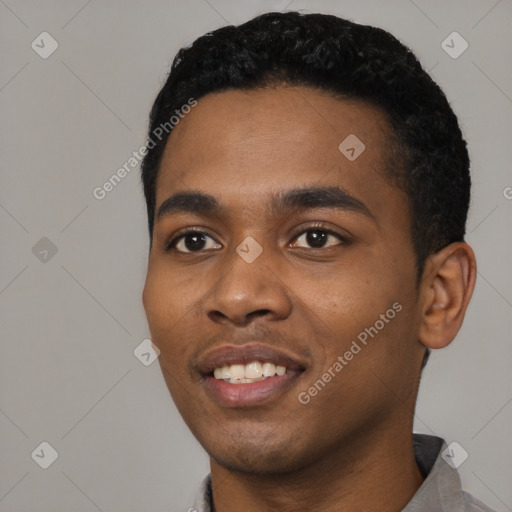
point(245, 145)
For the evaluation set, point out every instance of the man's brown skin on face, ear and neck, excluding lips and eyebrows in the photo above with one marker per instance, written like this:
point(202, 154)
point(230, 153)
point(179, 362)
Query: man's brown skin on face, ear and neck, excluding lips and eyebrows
point(350, 447)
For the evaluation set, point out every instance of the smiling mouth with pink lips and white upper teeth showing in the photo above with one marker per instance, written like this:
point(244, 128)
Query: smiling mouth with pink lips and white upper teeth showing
point(249, 375)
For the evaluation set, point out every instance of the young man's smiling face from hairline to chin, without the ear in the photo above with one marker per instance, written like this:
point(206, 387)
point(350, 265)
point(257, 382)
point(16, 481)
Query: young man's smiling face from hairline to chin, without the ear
point(274, 248)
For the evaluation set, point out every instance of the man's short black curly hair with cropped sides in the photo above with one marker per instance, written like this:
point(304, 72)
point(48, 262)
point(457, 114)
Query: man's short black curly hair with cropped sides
point(429, 158)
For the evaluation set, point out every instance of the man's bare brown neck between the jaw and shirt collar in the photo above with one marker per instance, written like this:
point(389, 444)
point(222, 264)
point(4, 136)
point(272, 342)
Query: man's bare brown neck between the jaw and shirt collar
point(378, 474)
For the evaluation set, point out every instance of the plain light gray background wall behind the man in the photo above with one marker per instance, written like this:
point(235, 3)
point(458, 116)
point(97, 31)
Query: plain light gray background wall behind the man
point(70, 324)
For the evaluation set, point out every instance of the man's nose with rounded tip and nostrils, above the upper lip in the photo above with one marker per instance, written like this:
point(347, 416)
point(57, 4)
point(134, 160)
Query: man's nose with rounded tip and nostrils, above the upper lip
point(248, 291)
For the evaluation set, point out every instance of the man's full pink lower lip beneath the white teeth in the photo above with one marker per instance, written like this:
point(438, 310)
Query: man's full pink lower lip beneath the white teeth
point(246, 395)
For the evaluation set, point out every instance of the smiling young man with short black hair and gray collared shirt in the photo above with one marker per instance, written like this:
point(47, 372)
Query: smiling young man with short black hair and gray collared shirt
point(307, 187)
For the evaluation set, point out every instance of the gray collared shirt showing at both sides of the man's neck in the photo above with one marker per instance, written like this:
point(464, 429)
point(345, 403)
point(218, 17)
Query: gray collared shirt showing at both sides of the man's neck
point(441, 490)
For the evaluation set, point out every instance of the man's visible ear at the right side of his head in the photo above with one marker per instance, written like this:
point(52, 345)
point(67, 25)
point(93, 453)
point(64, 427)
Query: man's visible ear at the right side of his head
point(446, 288)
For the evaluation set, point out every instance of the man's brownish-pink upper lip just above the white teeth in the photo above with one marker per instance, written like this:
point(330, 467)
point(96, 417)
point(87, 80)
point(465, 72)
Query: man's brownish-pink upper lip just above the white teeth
point(229, 354)
